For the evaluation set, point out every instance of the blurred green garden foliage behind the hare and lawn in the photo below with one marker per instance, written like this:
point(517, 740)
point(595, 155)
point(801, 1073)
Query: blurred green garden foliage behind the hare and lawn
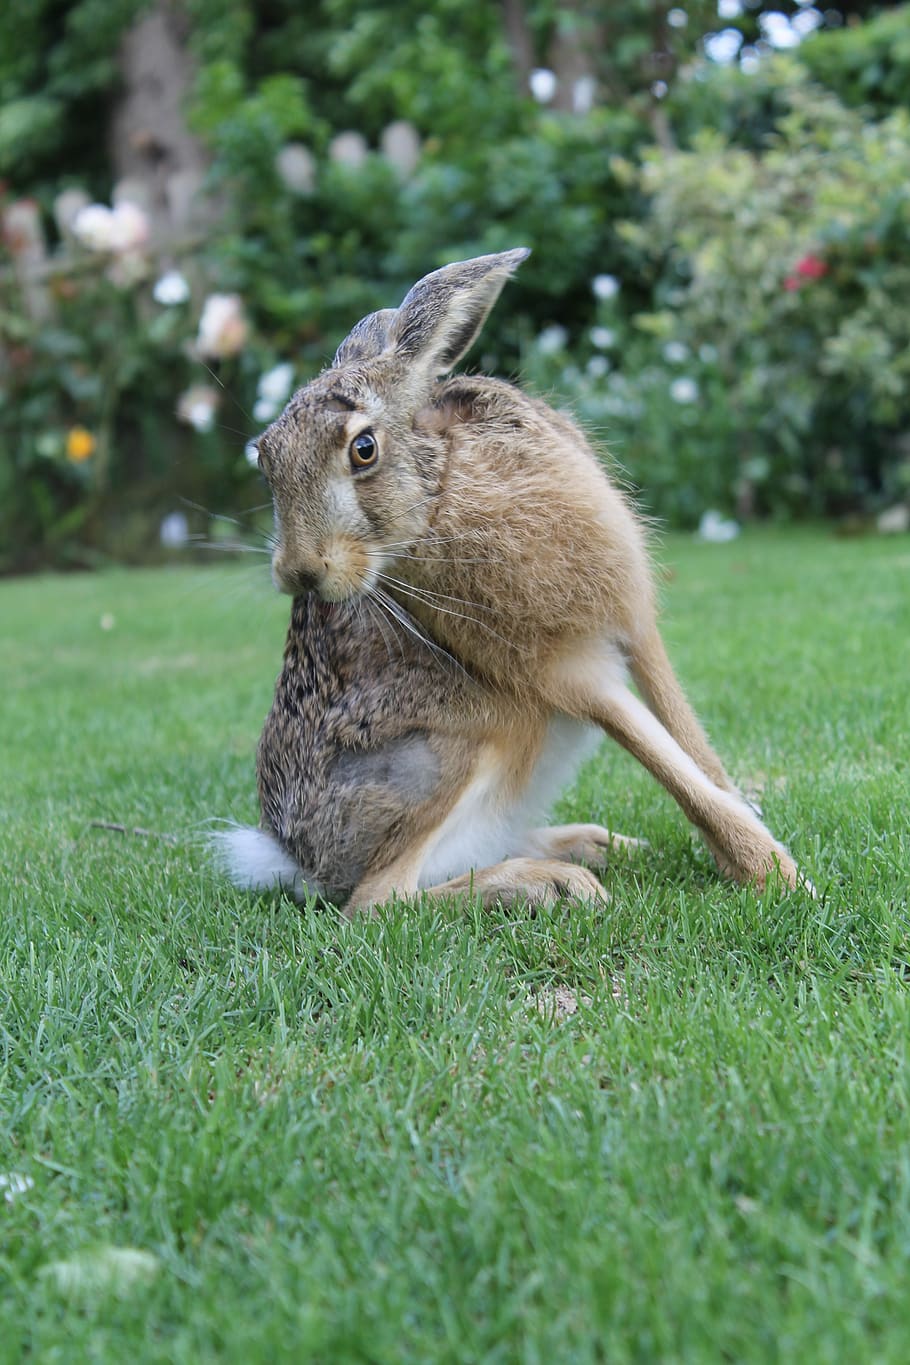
point(717, 248)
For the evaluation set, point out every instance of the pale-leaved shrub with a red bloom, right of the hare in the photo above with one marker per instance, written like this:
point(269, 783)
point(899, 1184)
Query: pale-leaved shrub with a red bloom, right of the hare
point(772, 373)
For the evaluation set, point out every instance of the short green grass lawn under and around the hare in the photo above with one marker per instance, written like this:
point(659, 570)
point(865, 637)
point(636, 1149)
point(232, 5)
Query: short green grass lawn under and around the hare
point(384, 1140)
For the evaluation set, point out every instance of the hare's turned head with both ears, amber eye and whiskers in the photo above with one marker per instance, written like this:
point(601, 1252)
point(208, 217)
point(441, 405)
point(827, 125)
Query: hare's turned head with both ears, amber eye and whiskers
point(353, 462)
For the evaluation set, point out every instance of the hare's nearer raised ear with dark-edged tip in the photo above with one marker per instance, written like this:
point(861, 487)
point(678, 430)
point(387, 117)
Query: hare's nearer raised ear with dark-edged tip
point(444, 313)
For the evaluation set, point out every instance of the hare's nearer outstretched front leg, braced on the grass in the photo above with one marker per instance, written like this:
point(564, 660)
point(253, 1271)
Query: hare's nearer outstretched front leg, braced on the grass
point(743, 847)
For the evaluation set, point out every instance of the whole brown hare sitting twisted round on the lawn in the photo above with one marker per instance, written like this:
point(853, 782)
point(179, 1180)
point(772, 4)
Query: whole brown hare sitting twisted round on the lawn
point(473, 599)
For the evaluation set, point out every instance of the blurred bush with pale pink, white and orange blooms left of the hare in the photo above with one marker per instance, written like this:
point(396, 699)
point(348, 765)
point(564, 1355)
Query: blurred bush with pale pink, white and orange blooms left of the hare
point(108, 409)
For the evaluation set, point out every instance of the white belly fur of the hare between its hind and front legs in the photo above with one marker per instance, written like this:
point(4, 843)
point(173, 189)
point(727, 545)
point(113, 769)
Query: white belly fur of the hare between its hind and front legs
point(485, 827)
